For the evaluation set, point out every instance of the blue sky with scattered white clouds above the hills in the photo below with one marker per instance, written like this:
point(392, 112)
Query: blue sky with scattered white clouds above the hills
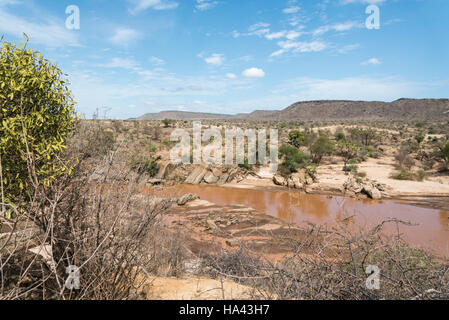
point(232, 56)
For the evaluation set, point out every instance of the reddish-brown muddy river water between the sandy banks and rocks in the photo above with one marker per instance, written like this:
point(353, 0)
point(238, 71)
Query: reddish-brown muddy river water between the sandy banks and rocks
point(430, 229)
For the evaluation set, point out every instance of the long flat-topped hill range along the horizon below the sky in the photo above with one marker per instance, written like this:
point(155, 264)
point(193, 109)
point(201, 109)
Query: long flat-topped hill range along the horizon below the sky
point(406, 109)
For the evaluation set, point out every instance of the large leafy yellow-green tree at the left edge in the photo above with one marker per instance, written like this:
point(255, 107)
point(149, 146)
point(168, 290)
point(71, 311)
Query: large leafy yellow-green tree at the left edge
point(37, 116)
